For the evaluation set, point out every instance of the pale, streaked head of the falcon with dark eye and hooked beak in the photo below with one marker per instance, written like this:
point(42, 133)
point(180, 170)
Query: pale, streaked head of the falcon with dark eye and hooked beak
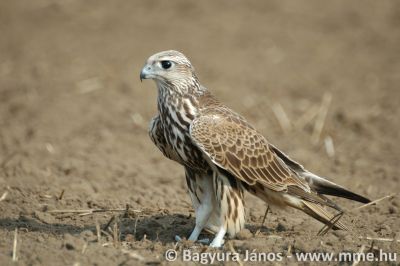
point(169, 68)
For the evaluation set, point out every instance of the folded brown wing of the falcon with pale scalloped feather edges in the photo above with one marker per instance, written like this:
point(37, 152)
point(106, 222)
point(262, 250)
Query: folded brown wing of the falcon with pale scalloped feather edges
point(242, 151)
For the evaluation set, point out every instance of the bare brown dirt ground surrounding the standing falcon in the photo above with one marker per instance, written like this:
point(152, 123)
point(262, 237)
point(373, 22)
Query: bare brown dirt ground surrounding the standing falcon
point(74, 116)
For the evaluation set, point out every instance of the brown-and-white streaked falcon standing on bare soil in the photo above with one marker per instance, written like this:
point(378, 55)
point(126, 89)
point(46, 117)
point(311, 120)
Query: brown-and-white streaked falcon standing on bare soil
point(224, 155)
